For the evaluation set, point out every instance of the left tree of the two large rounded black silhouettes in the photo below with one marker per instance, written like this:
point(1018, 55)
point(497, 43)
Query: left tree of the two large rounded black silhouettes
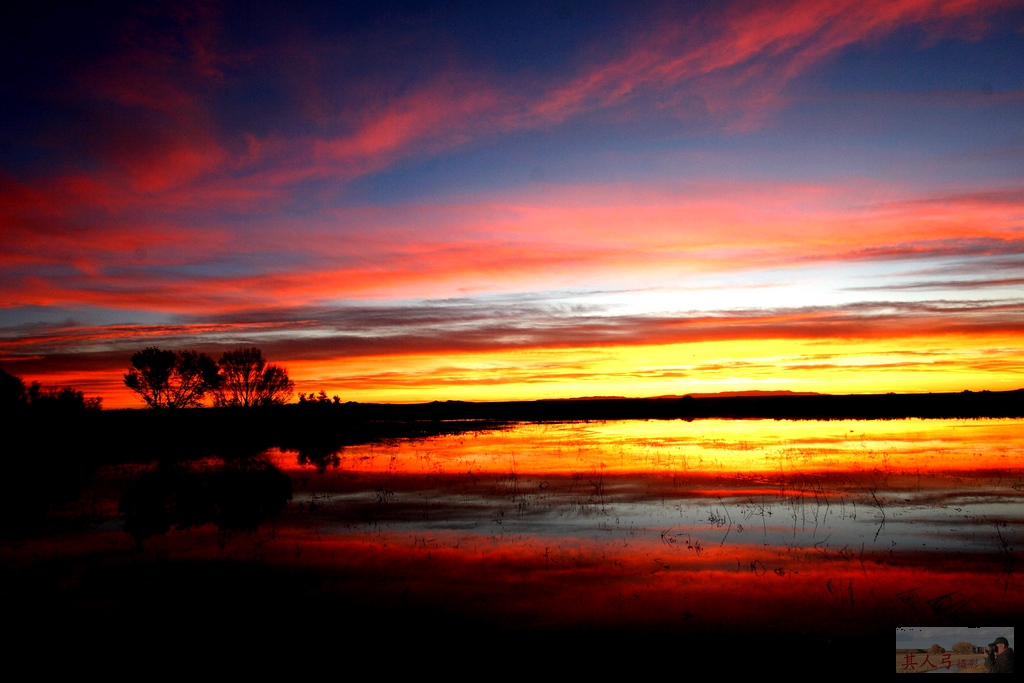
point(166, 379)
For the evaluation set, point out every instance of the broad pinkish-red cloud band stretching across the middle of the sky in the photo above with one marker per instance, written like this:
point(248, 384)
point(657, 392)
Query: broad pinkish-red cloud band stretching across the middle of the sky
point(579, 236)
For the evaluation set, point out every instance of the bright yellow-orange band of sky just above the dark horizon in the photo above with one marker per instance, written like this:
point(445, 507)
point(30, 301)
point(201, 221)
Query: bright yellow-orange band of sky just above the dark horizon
point(796, 365)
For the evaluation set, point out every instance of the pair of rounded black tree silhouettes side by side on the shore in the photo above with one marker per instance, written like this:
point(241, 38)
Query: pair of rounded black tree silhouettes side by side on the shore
point(186, 379)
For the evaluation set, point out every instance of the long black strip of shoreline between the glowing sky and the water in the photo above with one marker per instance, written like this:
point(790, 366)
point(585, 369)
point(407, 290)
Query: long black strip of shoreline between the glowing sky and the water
point(319, 430)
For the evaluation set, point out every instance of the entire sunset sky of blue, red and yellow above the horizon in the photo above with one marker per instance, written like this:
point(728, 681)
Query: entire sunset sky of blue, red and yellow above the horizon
point(409, 202)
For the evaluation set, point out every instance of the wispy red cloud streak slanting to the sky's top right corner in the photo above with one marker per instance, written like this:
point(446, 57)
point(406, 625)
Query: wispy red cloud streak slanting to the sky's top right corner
point(736, 63)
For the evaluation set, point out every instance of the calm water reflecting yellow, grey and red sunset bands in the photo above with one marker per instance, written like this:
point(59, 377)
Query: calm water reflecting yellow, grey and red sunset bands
point(703, 527)
